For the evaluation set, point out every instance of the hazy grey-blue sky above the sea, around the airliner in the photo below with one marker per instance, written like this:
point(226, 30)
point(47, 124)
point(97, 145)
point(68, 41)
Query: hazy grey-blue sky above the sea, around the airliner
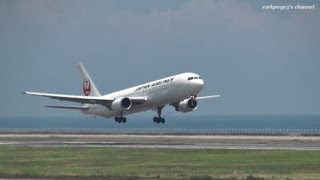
point(261, 61)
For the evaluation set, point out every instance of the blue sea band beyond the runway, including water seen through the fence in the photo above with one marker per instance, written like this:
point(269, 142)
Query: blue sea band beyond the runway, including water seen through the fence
point(184, 124)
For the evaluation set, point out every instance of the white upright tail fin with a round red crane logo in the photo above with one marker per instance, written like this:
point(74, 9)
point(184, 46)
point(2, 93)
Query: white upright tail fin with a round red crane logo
point(88, 86)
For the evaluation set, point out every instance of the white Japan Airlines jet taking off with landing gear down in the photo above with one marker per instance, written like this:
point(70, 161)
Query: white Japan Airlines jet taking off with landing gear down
point(180, 91)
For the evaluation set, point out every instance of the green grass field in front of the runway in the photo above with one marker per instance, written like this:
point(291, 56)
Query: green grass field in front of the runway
point(131, 163)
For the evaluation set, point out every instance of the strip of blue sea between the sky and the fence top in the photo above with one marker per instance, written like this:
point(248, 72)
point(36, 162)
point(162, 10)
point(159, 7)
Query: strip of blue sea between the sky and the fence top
point(182, 122)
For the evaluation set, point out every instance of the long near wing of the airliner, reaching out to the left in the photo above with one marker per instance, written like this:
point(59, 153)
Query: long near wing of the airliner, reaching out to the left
point(85, 99)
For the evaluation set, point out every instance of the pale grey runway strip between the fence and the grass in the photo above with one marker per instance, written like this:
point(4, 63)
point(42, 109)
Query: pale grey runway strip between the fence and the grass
point(163, 141)
